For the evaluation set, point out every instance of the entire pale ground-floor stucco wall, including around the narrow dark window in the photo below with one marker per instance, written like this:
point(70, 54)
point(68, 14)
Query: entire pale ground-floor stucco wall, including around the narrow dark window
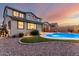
point(14, 30)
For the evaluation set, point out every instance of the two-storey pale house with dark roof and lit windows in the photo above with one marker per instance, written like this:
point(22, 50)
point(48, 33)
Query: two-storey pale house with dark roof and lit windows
point(17, 21)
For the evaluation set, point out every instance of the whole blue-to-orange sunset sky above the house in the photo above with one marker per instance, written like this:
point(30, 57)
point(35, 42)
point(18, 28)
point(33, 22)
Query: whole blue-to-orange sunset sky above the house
point(61, 13)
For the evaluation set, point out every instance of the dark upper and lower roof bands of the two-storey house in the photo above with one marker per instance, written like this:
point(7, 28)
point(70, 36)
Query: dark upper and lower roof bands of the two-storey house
point(22, 19)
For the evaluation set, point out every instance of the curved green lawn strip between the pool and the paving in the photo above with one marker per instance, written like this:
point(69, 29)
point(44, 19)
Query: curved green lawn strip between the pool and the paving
point(36, 39)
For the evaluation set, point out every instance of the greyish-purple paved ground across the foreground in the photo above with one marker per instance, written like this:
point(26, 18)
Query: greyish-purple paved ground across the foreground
point(11, 47)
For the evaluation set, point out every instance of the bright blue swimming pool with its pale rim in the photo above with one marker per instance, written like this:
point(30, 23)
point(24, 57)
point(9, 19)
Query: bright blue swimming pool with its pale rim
point(64, 36)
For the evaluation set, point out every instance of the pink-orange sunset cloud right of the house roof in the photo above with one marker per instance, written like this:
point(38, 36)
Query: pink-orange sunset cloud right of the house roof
point(59, 13)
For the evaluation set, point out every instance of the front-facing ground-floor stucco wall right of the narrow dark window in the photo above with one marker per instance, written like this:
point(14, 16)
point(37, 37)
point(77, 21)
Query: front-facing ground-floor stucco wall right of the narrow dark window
point(26, 31)
